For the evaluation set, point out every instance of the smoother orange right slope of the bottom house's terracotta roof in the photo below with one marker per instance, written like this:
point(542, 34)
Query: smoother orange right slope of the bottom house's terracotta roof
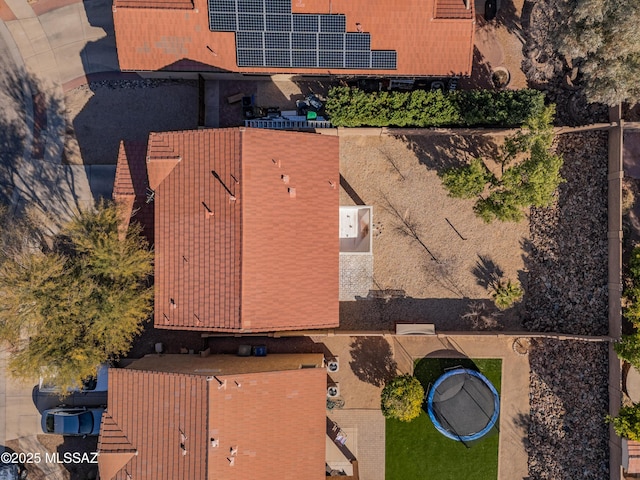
point(277, 422)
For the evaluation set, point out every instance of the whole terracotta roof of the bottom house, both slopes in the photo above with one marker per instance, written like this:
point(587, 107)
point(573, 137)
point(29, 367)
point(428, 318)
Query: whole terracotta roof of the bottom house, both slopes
point(272, 424)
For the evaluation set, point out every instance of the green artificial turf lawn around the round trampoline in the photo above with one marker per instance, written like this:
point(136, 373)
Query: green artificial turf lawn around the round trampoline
point(417, 451)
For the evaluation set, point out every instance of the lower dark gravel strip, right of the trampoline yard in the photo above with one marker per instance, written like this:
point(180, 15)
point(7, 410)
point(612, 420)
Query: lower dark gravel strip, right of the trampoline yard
point(568, 437)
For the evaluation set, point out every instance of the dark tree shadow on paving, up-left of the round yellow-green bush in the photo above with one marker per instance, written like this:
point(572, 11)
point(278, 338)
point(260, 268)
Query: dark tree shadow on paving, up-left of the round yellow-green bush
point(372, 360)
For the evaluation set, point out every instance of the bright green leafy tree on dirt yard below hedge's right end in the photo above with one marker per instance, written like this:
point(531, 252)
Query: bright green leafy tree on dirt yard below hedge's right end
point(531, 181)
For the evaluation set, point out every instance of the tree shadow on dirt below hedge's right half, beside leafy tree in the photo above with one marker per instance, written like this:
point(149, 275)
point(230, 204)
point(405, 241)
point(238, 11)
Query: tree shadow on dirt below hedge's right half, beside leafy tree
point(441, 152)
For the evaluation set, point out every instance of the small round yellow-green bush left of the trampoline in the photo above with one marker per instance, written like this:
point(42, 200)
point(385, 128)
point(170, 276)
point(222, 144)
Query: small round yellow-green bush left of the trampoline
point(402, 398)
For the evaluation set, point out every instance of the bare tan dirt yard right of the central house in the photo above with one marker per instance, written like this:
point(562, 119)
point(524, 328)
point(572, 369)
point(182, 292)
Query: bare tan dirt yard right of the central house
point(442, 272)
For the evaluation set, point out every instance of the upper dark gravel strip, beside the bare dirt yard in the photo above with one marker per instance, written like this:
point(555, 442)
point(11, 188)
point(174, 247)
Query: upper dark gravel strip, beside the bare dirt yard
point(567, 263)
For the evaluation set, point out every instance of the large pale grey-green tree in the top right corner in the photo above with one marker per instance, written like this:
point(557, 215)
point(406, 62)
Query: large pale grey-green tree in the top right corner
point(601, 36)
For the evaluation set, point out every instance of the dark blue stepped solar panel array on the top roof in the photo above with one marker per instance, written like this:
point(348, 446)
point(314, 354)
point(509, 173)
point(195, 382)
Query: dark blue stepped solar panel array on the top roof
point(269, 35)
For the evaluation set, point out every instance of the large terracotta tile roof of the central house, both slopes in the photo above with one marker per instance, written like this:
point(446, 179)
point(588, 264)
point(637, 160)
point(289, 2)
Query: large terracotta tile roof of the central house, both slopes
point(236, 249)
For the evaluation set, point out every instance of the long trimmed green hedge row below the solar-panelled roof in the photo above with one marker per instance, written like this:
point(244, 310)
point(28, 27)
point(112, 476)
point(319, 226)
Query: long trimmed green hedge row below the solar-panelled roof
point(351, 107)
